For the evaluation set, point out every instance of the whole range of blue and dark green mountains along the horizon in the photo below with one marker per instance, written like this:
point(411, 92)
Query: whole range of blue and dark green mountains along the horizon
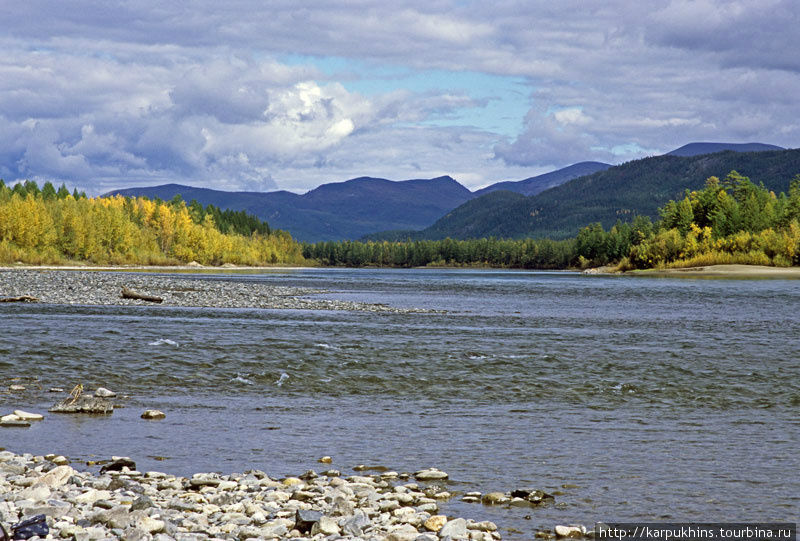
point(554, 204)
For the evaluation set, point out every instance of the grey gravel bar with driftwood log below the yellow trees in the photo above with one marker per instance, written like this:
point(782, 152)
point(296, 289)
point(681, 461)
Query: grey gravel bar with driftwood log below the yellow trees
point(103, 286)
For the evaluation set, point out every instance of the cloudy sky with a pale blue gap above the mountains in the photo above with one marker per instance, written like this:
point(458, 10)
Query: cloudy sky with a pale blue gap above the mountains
point(263, 95)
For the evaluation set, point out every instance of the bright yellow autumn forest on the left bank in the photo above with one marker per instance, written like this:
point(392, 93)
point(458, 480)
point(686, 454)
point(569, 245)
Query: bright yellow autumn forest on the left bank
point(54, 226)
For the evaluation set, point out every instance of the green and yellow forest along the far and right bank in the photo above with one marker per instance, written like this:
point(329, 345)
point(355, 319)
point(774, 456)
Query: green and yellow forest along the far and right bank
point(728, 221)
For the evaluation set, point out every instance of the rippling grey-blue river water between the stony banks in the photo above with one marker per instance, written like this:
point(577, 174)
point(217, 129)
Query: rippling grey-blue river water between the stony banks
point(630, 399)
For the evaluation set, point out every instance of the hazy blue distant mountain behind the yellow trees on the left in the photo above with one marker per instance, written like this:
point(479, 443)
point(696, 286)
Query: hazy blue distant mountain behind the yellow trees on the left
point(335, 211)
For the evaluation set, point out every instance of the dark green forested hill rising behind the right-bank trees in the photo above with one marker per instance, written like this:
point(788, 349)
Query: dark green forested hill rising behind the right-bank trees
point(635, 188)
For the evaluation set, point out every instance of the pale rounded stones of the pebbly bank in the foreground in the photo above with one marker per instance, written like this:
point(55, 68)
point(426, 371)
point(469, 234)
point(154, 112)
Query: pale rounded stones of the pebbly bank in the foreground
point(121, 502)
